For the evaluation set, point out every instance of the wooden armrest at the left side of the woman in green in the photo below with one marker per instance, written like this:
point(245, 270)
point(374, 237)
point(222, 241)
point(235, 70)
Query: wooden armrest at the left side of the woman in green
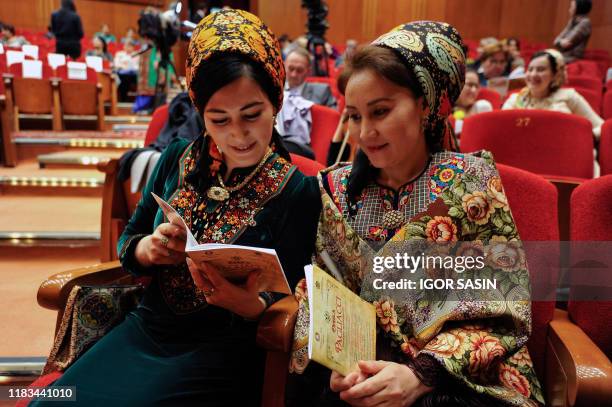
point(53, 292)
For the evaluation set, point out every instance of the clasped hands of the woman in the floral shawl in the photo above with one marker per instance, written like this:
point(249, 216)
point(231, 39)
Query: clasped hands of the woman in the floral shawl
point(391, 385)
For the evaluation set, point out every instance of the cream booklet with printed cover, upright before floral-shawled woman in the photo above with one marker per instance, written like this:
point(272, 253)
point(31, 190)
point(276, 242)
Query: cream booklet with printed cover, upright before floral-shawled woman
point(342, 327)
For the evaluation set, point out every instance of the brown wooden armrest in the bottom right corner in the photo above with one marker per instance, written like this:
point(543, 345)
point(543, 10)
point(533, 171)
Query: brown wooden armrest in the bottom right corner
point(578, 373)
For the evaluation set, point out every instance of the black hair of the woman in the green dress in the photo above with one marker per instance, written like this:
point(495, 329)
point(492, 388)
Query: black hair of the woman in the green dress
point(217, 72)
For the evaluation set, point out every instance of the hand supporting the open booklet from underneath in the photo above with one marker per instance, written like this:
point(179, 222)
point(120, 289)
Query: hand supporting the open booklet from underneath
point(243, 300)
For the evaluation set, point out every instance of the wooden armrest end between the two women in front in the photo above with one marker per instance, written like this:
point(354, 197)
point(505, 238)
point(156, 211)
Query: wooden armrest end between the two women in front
point(275, 330)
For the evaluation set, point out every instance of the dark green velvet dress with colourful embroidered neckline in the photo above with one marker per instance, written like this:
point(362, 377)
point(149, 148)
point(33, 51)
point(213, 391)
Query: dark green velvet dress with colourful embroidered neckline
point(175, 349)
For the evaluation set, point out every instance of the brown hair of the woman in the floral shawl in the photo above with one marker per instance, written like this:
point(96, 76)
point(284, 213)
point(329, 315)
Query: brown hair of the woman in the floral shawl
point(386, 63)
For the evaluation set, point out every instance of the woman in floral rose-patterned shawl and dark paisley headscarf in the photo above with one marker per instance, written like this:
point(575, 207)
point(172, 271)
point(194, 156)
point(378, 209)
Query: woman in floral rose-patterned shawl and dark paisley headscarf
point(408, 191)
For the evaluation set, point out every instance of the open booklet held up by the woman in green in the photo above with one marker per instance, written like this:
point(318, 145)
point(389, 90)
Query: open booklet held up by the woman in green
point(234, 262)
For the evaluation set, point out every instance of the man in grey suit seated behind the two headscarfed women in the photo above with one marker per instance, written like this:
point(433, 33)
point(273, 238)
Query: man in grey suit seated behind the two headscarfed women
point(297, 65)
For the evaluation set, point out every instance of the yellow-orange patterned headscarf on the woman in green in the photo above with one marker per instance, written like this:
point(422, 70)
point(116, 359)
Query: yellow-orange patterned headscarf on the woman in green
point(236, 31)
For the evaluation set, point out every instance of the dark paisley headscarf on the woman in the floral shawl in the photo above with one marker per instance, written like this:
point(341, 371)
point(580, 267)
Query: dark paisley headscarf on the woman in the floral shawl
point(434, 52)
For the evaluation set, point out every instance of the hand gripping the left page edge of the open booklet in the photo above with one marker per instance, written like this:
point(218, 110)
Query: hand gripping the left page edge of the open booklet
point(165, 246)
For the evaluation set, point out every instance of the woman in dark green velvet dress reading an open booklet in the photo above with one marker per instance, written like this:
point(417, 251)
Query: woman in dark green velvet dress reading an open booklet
point(188, 345)
